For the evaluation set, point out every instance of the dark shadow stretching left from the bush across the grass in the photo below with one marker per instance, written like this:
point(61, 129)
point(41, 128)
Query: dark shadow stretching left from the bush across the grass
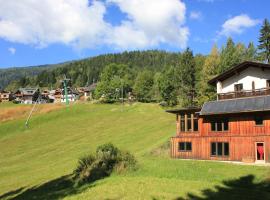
point(51, 190)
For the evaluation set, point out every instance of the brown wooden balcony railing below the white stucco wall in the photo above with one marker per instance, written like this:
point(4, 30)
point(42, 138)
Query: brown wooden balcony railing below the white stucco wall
point(243, 94)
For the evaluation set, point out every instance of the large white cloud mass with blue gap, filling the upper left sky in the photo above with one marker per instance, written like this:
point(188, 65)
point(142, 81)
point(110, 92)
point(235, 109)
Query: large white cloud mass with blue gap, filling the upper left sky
point(76, 23)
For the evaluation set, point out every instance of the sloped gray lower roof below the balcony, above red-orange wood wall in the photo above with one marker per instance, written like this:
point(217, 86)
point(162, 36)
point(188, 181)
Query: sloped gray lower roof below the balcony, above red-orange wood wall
point(252, 104)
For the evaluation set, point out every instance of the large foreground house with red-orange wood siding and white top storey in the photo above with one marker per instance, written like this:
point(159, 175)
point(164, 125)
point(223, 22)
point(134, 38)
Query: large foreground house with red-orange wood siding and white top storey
point(235, 127)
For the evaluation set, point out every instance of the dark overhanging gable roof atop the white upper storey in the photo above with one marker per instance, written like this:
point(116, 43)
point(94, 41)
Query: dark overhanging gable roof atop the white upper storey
point(236, 69)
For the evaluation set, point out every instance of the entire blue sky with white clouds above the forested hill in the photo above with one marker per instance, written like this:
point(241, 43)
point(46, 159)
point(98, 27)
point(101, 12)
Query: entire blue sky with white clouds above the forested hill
point(37, 32)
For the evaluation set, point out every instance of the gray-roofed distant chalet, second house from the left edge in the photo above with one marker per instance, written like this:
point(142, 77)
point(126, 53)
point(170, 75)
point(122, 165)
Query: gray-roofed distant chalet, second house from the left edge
point(27, 95)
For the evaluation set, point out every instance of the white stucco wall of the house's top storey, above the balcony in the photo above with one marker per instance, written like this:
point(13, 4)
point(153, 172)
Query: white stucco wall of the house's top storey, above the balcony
point(245, 77)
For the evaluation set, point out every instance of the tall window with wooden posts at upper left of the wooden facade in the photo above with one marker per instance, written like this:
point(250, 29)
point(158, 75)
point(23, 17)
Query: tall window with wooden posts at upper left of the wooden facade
point(188, 123)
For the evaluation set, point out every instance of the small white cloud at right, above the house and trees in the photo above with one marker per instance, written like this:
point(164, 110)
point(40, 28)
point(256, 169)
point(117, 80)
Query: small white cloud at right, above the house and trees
point(237, 25)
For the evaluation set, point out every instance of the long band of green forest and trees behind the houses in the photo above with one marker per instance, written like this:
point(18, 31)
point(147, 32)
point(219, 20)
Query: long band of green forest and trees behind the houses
point(154, 76)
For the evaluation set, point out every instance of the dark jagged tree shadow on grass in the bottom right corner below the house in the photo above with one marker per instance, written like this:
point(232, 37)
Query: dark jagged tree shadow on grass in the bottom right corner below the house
point(242, 188)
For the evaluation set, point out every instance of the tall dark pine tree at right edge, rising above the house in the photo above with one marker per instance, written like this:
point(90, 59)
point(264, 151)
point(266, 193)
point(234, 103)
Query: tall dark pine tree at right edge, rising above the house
point(264, 41)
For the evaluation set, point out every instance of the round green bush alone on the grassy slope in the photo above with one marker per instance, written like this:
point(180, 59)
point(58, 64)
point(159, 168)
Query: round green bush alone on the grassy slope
point(108, 158)
